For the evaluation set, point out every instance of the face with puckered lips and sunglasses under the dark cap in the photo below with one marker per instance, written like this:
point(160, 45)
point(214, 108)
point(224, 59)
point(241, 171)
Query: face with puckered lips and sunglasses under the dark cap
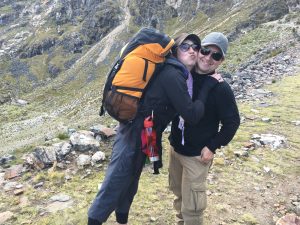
point(187, 53)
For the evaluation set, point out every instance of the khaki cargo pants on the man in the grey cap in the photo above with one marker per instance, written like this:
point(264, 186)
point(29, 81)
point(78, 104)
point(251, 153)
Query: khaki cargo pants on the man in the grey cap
point(187, 180)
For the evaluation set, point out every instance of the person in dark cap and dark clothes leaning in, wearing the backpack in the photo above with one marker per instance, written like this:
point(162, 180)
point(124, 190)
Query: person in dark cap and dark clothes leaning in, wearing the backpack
point(166, 97)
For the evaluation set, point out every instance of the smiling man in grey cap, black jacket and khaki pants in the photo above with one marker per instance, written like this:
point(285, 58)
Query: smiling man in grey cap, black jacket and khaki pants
point(192, 151)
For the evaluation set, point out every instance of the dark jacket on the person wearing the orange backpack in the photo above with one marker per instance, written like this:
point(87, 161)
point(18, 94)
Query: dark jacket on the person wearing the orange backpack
point(167, 96)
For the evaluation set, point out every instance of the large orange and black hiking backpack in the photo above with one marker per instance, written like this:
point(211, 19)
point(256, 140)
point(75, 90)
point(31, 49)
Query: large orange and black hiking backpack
point(127, 81)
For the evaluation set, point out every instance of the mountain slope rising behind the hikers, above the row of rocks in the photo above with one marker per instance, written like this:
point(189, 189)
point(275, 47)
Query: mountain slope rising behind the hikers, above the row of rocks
point(71, 98)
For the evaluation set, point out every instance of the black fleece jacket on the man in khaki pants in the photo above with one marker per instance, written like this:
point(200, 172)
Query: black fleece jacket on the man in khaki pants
point(216, 128)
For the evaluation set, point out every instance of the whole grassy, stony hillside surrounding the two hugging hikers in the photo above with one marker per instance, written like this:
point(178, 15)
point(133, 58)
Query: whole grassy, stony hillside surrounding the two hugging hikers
point(55, 54)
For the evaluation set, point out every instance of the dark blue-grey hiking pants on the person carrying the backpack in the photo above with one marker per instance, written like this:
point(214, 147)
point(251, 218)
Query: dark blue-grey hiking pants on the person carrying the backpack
point(122, 176)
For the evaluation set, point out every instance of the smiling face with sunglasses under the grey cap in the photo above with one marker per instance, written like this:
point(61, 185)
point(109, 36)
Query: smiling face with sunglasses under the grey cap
point(209, 59)
